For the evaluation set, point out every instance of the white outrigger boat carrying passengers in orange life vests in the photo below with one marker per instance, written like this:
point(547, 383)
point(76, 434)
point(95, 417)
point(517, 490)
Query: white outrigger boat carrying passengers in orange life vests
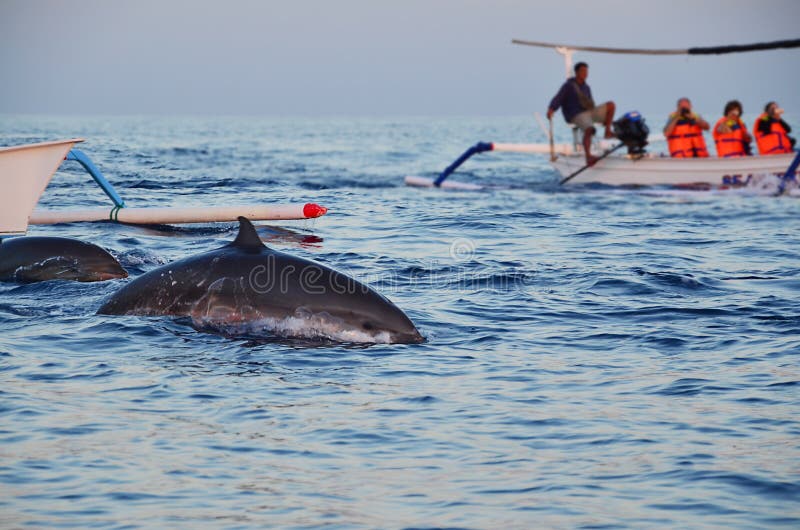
point(642, 169)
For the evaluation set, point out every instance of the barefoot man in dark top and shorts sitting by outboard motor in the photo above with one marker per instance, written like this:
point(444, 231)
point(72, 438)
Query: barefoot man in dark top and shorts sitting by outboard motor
point(575, 100)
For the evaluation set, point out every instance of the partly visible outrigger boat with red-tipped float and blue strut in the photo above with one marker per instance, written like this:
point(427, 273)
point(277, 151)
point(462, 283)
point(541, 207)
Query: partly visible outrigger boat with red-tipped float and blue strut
point(26, 170)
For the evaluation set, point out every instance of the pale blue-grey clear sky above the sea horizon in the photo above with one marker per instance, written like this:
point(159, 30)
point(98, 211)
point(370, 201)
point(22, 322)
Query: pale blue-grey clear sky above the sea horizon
point(382, 58)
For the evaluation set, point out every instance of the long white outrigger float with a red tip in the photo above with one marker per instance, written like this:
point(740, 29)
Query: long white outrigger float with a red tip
point(212, 214)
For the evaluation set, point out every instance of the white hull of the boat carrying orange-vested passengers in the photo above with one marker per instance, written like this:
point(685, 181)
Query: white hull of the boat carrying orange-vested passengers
point(664, 171)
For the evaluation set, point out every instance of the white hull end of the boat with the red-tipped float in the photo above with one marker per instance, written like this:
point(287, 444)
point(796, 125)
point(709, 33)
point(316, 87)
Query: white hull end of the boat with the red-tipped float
point(25, 171)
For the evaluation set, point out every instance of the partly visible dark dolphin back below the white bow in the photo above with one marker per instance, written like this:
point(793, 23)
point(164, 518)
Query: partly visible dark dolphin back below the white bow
point(35, 259)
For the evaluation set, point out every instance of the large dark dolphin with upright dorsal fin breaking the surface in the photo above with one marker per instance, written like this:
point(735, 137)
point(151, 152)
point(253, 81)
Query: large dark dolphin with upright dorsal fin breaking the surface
point(247, 287)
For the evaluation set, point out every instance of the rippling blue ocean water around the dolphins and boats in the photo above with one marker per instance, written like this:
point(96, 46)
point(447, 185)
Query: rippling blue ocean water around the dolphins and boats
point(595, 358)
